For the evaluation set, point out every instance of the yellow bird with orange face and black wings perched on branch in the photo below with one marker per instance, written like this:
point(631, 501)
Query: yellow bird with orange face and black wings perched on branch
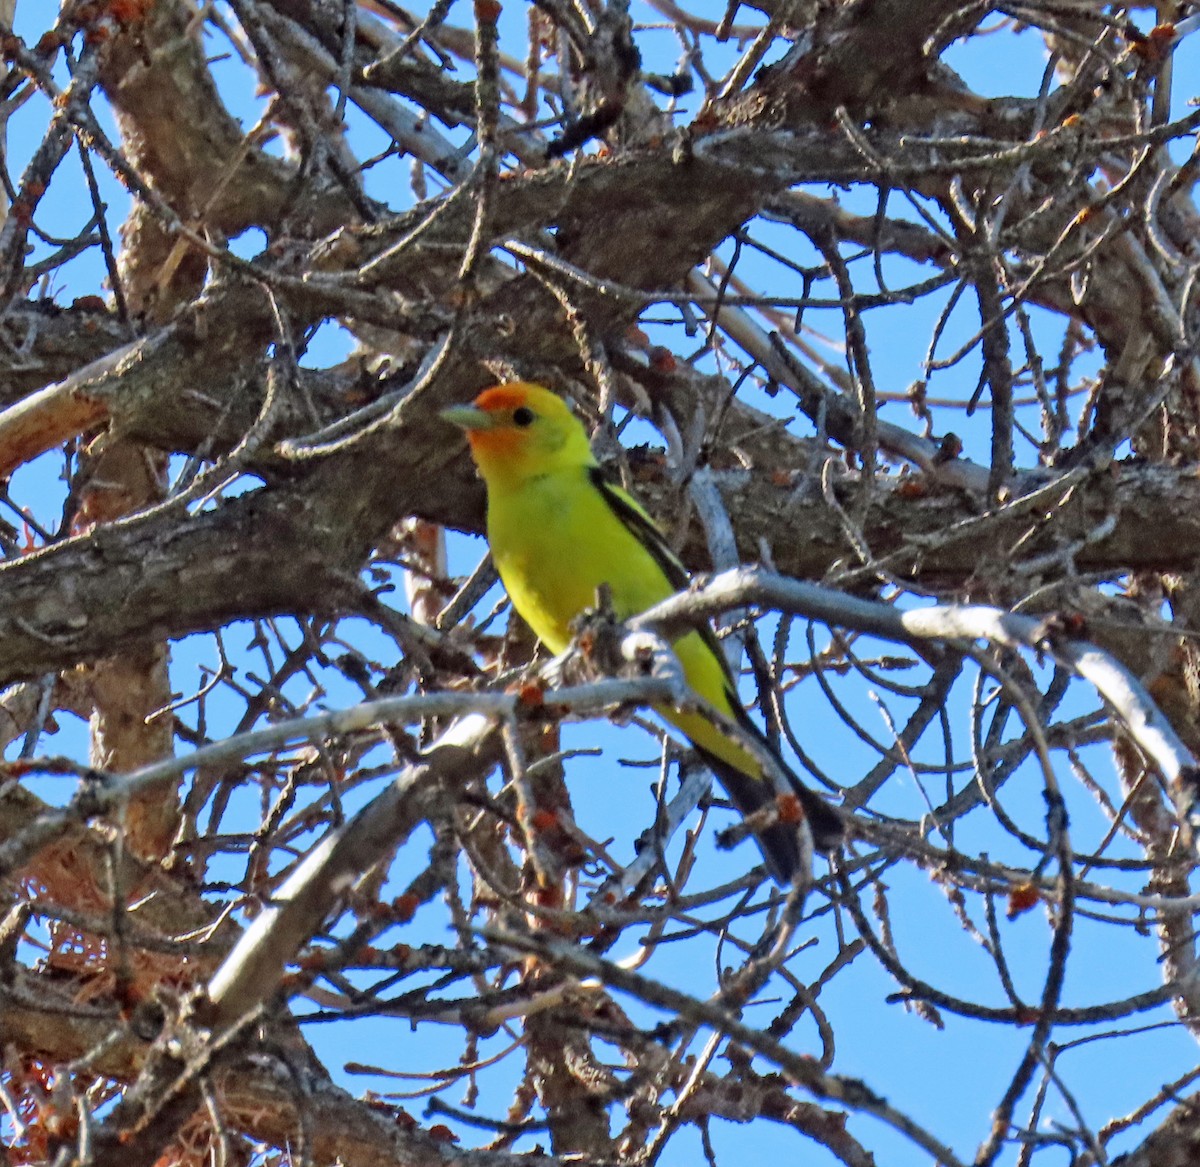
point(559, 529)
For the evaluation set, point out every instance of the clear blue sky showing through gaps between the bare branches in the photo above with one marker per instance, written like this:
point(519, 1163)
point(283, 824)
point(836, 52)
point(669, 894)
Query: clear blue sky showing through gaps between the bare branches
point(946, 1080)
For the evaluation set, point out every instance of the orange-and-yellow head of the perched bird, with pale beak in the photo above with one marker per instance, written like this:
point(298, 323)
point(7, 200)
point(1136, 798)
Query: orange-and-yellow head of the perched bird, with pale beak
point(520, 432)
